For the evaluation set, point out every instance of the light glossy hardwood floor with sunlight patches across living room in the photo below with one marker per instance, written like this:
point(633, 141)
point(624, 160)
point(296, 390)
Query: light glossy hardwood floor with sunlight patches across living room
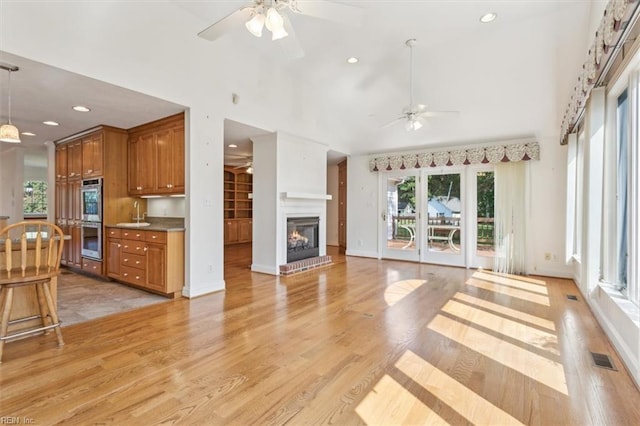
point(359, 342)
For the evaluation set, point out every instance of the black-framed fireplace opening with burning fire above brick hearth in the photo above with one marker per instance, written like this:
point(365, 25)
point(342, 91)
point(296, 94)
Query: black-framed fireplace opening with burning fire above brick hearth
point(302, 238)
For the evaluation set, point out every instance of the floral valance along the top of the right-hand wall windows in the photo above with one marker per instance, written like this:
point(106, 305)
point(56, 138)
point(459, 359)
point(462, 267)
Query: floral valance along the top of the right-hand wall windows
point(602, 51)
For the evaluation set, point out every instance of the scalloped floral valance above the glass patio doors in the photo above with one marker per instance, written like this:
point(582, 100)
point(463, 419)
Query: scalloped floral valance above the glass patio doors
point(457, 157)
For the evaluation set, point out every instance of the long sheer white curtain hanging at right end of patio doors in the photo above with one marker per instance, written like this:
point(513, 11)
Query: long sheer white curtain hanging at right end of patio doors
point(510, 218)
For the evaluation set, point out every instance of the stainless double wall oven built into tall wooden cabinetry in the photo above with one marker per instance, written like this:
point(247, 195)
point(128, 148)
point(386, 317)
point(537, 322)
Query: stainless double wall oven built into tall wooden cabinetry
point(91, 227)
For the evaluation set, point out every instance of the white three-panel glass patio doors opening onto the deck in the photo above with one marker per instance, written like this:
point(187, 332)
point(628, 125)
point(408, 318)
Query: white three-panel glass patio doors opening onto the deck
point(442, 216)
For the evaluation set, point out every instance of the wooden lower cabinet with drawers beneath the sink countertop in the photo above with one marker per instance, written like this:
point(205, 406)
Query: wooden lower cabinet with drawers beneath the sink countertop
point(153, 260)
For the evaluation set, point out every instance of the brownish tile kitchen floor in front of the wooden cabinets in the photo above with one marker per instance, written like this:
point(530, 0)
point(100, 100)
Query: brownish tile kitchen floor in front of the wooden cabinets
point(82, 298)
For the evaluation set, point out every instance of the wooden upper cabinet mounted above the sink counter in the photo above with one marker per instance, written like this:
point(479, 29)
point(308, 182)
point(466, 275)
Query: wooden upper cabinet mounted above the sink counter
point(156, 157)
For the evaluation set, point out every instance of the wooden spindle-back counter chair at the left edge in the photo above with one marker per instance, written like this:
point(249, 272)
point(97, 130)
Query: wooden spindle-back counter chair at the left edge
point(30, 255)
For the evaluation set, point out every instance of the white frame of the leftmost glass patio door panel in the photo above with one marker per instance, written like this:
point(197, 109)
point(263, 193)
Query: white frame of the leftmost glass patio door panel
point(390, 253)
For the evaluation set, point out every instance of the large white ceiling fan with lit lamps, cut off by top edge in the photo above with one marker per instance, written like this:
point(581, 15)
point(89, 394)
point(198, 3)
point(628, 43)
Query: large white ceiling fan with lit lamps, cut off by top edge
point(273, 14)
